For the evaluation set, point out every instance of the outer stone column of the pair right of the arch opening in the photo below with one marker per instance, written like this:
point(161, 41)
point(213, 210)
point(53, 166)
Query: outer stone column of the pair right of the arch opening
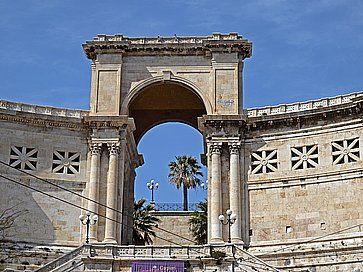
point(234, 191)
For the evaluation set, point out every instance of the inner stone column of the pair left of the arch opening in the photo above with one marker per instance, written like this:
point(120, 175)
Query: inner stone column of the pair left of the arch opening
point(112, 180)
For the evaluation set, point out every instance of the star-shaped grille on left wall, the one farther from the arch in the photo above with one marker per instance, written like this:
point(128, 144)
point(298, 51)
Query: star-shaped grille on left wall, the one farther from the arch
point(24, 158)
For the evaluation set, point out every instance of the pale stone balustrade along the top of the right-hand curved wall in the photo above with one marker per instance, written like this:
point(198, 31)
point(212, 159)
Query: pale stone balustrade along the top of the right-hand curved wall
point(303, 106)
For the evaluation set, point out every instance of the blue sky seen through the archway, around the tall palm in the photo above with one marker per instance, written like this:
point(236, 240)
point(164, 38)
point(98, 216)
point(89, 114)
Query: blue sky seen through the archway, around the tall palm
point(159, 147)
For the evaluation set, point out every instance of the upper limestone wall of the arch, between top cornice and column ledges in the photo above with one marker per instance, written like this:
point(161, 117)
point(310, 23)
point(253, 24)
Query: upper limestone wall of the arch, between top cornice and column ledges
point(218, 80)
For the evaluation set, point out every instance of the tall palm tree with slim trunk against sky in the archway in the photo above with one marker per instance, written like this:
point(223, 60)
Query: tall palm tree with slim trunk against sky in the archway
point(184, 172)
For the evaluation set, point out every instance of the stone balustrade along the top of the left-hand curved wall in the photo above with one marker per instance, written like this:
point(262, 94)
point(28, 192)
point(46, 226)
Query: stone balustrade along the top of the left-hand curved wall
point(47, 110)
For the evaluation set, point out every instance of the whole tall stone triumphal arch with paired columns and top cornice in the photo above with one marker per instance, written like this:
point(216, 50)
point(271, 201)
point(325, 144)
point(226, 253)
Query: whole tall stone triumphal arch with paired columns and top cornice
point(139, 83)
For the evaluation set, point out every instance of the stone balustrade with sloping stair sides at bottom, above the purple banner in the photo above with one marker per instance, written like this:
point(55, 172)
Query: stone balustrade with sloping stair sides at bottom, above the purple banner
point(226, 258)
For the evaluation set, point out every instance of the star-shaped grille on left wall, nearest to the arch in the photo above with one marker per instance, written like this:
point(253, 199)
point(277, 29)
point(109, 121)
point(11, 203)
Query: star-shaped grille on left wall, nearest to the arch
point(65, 162)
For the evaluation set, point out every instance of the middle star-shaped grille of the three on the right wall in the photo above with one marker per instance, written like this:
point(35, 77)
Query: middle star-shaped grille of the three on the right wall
point(304, 157)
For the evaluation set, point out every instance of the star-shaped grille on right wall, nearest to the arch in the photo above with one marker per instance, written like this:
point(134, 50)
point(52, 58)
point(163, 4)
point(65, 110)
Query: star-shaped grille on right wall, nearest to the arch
point(264, 161)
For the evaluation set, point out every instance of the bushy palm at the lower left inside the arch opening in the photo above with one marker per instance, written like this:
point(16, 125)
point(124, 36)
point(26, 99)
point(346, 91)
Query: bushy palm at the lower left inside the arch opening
point(143, 223)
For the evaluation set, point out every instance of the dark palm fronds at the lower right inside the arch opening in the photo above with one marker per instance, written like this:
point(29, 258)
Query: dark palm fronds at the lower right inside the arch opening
point(198, 223)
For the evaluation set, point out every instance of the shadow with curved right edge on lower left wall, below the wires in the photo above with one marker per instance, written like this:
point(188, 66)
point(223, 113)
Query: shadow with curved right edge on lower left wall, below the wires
point(31, 223)
